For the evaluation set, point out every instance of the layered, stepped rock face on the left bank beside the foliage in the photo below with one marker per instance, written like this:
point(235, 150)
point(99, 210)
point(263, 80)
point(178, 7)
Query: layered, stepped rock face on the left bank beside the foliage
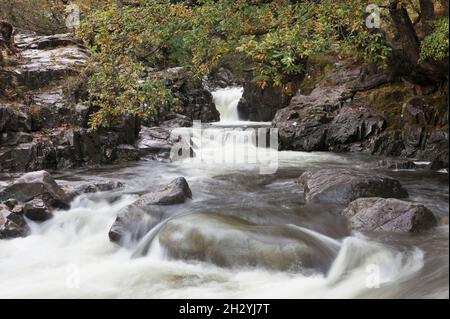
point(46, 129)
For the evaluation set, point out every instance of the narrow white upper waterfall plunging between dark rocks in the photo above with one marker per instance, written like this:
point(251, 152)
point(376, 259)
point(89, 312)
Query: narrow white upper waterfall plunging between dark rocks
point(226, 101)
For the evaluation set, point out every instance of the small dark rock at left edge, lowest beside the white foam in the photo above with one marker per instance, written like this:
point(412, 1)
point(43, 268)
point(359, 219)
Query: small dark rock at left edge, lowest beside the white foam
point(12, 225)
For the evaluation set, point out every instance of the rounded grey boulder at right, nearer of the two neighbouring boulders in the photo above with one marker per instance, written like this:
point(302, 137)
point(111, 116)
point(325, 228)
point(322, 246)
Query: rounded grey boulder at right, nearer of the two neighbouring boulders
point(389, 215)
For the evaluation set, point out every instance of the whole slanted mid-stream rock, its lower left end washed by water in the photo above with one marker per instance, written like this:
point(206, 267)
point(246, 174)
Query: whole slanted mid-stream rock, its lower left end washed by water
point(134, 221)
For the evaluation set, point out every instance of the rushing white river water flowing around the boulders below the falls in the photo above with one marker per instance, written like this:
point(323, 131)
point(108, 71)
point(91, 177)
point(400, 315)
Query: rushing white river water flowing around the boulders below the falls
point(71, 256)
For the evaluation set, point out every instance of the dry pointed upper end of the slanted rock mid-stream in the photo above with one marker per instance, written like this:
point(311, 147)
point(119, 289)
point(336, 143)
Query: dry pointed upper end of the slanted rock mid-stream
point(177, 192)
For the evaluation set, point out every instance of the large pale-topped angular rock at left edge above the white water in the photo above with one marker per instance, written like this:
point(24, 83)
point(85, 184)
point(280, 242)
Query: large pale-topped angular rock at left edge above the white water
point(36, 184)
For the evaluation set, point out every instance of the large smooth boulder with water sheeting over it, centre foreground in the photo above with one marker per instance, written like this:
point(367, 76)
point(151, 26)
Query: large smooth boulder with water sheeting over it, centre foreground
point(233, 242)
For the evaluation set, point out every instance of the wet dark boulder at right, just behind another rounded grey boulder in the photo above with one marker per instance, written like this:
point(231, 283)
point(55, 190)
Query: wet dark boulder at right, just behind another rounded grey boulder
point(342, 186)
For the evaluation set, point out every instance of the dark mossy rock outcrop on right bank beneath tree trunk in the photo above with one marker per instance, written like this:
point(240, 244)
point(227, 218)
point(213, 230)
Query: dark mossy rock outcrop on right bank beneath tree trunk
point(358, 108)
